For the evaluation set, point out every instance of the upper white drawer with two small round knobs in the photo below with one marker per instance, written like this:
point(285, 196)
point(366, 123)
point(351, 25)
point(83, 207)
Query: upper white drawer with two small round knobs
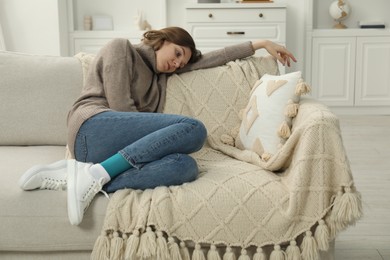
point(236, 15)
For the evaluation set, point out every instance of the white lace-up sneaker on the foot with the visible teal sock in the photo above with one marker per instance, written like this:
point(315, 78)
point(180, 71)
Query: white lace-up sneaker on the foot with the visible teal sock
point(82, 188)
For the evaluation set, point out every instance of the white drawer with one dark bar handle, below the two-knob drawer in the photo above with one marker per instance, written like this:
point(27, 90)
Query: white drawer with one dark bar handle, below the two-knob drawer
point(272, 31)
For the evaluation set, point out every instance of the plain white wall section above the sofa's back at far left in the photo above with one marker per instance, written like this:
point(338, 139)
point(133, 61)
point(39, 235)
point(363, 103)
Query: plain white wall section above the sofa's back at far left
point(33, 26)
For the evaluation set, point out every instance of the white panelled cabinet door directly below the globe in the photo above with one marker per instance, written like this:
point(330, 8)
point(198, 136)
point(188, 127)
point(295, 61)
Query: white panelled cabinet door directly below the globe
point(333, 70)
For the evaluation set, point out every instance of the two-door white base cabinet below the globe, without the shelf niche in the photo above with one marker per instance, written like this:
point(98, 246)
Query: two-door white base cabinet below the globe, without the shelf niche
point(351, 71)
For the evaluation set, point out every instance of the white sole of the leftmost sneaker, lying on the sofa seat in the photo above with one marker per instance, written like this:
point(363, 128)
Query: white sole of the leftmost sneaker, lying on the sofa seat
point(24, 181)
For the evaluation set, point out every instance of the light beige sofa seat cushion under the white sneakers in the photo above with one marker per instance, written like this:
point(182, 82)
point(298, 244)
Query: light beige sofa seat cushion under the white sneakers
point(38, 220)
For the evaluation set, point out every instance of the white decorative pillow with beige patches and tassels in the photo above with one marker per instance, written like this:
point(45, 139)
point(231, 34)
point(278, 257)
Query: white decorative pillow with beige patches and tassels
point(267, 119)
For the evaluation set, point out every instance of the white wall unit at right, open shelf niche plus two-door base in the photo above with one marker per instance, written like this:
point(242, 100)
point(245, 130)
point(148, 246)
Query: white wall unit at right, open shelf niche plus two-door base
point(349, 69)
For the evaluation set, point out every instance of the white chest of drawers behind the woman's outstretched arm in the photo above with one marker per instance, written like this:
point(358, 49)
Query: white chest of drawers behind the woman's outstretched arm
point(214, 26)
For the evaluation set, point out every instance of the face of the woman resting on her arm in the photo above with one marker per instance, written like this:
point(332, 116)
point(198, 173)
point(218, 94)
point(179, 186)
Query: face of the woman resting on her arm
point(171, 57)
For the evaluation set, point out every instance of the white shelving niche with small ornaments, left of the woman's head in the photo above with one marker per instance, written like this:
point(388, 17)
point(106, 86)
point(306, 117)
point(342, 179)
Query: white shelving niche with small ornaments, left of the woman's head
point(122, 13)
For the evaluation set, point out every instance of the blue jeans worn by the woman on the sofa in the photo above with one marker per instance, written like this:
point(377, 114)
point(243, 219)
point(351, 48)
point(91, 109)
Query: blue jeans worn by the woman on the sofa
point(156, 145)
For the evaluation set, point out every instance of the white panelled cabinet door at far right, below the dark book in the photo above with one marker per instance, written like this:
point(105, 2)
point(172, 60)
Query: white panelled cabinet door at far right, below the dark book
point(373, 71)
